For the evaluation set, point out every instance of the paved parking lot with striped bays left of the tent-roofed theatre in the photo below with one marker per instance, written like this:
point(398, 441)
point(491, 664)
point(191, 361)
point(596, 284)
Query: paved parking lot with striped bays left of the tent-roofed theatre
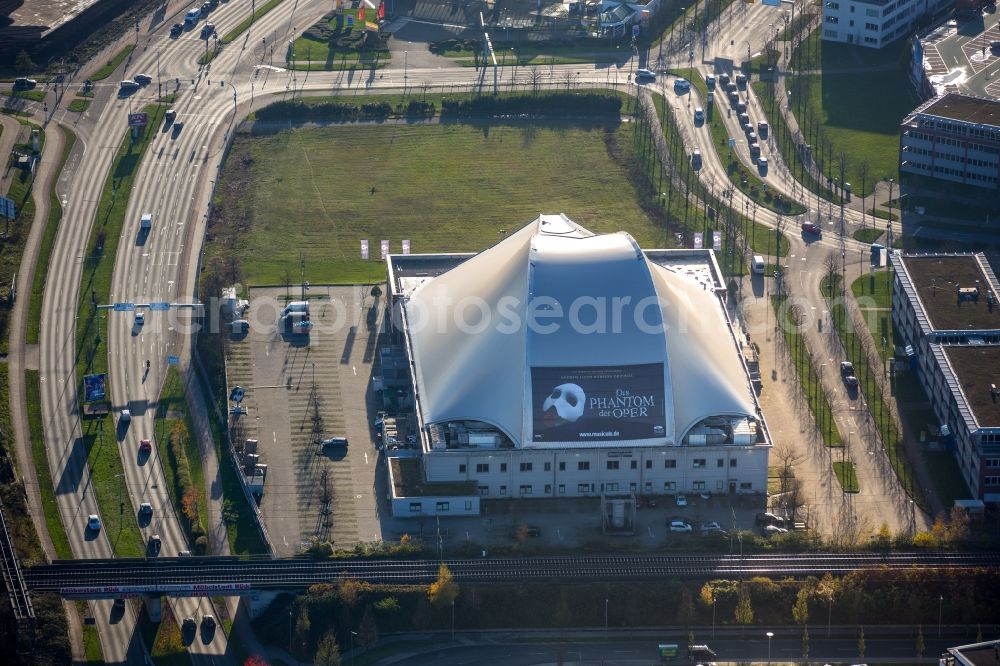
point(310, 492)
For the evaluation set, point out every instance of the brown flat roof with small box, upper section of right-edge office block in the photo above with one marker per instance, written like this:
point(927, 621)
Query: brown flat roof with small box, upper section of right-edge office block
point(936, 278)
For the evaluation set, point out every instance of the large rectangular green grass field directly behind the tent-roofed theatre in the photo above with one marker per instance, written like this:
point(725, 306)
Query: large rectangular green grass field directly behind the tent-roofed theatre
point(320, 191)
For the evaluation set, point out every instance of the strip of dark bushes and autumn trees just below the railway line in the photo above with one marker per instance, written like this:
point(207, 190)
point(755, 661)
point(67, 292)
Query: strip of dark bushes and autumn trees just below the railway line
point(352, 612)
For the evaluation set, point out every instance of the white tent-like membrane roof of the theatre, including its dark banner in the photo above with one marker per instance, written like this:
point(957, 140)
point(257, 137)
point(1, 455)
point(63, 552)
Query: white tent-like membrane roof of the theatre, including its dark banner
point(558, 336)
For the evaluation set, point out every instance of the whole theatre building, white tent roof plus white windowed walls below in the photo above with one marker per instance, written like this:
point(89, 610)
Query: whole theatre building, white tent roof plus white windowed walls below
point(665, 405)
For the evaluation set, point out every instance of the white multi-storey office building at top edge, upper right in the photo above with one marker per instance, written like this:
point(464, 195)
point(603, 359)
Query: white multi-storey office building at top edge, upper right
point(874, 24)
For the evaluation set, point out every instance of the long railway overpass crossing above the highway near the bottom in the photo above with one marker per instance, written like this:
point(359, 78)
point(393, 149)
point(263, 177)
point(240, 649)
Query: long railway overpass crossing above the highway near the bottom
point(208, 576)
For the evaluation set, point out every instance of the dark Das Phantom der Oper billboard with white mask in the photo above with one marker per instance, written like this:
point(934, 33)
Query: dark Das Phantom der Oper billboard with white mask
point(597, 403)
